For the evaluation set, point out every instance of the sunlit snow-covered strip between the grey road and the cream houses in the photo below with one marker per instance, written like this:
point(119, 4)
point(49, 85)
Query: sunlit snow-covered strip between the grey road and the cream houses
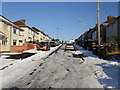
point(12, 70)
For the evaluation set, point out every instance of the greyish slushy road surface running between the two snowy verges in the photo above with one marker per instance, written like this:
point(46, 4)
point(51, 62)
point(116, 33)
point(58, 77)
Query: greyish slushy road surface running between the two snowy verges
point(60, 70)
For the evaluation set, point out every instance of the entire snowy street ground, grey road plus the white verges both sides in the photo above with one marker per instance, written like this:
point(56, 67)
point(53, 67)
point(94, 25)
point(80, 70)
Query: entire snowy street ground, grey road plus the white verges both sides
point(60, 69)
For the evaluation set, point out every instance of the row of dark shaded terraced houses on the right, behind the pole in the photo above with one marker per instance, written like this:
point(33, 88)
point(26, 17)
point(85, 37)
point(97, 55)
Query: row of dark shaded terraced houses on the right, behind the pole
point(110, 34)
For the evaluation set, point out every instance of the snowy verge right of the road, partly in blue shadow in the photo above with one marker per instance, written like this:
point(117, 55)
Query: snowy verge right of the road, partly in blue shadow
point(106, 71)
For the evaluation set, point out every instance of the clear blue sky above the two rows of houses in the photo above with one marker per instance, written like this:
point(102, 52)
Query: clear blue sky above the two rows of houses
point(48, 16)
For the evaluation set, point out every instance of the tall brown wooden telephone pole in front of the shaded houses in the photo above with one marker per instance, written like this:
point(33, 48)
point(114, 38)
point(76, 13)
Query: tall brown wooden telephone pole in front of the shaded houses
point(98, 13)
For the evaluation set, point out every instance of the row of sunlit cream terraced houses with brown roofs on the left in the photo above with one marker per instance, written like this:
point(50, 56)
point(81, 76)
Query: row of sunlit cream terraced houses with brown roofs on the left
point(18, 33)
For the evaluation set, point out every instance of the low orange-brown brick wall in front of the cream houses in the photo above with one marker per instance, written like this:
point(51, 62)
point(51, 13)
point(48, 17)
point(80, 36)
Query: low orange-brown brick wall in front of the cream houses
point(20, 49)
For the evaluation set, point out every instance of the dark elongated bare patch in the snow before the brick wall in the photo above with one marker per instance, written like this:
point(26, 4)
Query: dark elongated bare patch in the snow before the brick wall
point(20, 56)
